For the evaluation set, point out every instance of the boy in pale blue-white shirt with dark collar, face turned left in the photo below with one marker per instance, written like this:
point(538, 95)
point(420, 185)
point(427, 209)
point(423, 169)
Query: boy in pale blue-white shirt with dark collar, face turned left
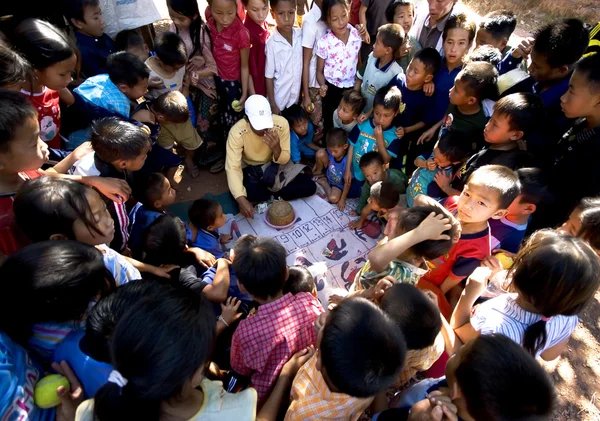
point(380, 67)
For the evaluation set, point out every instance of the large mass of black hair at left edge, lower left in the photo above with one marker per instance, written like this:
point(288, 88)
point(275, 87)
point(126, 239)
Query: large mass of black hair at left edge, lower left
point(54, 280)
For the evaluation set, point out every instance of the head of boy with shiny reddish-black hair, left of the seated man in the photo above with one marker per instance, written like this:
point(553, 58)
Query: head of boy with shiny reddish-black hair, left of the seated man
point(120, 143)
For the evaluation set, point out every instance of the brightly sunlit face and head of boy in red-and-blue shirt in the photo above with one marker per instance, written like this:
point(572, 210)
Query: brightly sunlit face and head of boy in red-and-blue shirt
point(488, 193)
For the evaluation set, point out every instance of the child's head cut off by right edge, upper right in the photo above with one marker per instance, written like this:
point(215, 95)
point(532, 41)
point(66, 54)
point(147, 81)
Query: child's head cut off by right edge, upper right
point(582, 99)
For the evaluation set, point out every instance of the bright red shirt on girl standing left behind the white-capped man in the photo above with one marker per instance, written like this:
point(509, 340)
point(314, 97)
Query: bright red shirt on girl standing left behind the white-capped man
point(227, 45)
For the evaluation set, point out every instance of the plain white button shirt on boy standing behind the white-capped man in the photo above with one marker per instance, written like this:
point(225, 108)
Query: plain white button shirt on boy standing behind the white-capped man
point(284, 66)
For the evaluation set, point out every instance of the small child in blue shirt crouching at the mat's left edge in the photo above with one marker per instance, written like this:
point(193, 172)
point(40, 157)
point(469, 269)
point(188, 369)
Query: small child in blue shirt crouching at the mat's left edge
point(206, 217)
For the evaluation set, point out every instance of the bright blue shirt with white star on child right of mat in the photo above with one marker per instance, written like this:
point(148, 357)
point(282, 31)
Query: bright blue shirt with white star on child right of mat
point(362, 138)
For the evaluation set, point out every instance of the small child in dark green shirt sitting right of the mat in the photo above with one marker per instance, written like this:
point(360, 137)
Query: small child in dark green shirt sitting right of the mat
point(374, 170)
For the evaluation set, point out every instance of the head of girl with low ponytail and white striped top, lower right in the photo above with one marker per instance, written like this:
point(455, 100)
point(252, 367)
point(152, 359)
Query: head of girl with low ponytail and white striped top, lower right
point(556, 275)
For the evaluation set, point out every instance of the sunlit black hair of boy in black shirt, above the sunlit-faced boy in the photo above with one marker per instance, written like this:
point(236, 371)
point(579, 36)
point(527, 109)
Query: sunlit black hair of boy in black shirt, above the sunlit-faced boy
point(525, 111)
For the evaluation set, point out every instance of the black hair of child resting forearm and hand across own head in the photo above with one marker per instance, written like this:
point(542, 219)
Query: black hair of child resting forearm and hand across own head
point(411, 218)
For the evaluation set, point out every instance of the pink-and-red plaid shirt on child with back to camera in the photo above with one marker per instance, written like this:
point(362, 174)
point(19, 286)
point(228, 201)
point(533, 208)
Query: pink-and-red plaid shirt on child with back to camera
point(264, 342)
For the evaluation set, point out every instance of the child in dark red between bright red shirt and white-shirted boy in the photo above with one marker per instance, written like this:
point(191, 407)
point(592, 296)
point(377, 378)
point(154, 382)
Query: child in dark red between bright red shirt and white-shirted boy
point(256, 24)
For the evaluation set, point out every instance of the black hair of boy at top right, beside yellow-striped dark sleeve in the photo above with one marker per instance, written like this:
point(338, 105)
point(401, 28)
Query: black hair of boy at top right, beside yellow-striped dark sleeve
point(562, 42)
